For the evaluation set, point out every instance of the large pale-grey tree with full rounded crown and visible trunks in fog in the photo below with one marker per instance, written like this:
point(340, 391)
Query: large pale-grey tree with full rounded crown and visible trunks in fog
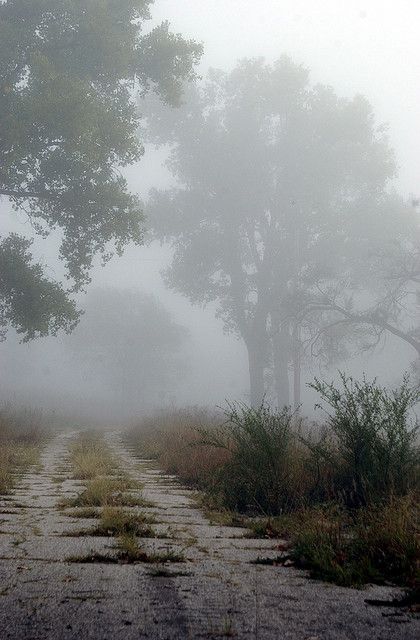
point(281, 185)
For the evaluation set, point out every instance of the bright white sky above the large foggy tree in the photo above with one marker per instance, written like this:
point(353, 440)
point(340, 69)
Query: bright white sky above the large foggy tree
point(370, 47)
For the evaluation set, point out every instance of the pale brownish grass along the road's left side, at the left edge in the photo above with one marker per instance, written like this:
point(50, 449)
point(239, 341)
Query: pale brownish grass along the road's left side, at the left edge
point(22, 432)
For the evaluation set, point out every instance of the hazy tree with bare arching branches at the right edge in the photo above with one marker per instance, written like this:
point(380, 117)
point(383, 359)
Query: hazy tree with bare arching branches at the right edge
point(338, 315)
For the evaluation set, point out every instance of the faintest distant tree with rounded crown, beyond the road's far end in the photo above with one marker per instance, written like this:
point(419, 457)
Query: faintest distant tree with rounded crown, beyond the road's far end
point(127, 342)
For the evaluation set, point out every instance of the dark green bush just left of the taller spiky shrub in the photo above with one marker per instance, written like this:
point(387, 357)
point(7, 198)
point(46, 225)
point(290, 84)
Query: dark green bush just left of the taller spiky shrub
point(262, 471)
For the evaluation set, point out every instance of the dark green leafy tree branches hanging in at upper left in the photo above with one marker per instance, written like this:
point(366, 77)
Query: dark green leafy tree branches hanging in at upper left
point(68, 123)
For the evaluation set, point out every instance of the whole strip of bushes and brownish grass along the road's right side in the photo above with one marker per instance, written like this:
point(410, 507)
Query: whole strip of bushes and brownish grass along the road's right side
point(344, 494)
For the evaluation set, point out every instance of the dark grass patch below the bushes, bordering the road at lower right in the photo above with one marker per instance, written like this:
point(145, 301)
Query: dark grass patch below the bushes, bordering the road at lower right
point(379, 544)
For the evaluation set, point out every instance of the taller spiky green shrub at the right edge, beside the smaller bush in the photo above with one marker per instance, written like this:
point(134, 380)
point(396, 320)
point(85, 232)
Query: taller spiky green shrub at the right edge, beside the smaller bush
point(371, 442)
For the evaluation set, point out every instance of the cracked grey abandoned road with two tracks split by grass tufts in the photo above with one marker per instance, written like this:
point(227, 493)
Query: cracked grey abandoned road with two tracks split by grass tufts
point(49, 588)
